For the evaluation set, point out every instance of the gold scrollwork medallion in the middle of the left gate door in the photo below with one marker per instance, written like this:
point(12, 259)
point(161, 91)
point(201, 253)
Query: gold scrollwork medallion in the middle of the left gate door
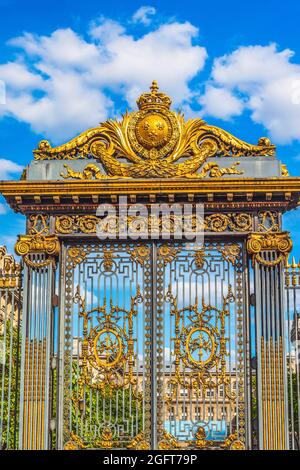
point(108, 355)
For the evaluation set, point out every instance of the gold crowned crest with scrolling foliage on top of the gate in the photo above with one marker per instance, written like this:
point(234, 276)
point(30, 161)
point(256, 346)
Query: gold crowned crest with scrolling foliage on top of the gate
point(153, 142)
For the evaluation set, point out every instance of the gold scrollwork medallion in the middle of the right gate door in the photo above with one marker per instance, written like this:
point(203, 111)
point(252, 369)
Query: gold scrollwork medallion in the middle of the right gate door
point(200, 346)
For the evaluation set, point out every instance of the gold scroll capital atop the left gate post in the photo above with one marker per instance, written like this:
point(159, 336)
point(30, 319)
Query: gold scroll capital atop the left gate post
point(47, 245)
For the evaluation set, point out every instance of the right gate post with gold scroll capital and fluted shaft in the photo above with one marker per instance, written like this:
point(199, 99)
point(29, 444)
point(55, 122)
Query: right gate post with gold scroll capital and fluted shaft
point(269, 253)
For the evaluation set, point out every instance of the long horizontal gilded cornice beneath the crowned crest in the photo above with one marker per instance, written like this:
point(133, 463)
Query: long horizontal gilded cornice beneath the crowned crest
point(156, 186)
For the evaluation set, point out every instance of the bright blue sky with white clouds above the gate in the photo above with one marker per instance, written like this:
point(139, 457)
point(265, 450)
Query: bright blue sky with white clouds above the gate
point(68, 65)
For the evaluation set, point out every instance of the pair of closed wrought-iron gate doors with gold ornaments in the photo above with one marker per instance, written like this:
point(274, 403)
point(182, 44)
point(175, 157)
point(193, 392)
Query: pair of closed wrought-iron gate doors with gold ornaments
point(153, 346)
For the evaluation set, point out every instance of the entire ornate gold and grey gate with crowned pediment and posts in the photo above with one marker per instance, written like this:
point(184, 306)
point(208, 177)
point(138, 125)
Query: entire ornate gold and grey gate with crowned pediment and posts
point(156, 341)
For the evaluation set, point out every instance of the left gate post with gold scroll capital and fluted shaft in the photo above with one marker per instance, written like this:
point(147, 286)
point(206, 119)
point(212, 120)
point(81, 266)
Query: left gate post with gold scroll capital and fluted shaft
point(38, 252)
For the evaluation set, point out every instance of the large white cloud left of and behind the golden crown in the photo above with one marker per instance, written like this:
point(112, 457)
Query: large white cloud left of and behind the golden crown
point(60, 84)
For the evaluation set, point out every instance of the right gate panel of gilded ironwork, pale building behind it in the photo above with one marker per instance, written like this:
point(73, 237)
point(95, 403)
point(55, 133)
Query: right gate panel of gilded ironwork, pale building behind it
point(201, 346)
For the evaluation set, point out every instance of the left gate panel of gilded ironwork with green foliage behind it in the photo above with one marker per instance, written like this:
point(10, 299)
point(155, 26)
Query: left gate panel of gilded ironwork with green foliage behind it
point(105, 355)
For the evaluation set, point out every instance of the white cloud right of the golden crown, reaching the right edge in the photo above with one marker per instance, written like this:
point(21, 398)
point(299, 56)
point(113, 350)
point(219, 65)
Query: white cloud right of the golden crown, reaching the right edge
point(263, 80)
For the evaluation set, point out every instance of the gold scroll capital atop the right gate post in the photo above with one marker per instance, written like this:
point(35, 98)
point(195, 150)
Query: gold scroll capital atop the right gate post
point(259, 244)
